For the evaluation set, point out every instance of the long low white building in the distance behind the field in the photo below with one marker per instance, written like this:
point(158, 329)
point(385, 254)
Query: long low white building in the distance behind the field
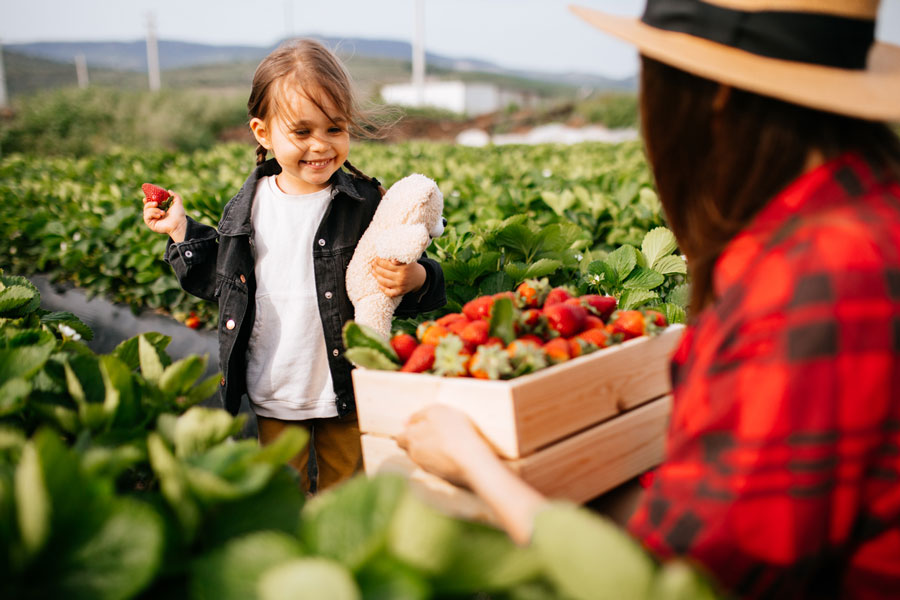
point(468, 98)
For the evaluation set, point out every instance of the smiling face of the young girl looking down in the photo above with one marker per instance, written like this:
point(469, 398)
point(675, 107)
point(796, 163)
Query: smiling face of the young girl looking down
point(308, 145)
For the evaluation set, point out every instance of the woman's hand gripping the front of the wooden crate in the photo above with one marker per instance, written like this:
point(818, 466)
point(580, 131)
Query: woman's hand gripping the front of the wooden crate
point(443, 441)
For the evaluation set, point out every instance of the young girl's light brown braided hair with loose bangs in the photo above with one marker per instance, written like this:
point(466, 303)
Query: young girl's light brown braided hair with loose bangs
point(312, 67)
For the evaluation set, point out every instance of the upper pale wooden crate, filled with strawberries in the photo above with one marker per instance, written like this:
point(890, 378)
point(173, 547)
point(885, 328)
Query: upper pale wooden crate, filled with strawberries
point(520, 416)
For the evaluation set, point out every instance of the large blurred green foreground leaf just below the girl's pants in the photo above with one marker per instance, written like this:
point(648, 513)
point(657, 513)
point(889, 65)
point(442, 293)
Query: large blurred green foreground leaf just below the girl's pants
point(327, 531)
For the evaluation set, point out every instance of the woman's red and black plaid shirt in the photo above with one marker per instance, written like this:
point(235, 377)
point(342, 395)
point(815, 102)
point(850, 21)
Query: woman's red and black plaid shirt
point(782, 472)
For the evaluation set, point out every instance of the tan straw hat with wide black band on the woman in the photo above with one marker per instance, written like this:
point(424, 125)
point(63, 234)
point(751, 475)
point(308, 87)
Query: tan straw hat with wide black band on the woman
point(817, 53)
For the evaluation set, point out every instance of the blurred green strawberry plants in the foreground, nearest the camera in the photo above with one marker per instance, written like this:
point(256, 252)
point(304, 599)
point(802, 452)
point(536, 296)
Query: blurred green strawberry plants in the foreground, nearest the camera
point(115, 484)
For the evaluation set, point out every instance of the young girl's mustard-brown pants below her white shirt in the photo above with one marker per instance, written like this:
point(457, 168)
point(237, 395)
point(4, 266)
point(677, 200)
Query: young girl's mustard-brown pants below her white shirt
point(338, 454)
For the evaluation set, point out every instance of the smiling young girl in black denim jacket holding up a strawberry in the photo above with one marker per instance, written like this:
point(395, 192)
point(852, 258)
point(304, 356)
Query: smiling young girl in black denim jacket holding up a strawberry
point(276, 263)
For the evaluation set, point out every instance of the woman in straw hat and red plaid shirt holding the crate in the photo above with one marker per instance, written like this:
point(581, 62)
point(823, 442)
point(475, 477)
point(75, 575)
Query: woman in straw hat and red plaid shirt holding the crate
point(763, 123)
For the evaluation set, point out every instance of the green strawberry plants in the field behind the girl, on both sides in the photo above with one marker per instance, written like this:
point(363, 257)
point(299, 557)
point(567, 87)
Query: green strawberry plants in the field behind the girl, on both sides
point(525, 212)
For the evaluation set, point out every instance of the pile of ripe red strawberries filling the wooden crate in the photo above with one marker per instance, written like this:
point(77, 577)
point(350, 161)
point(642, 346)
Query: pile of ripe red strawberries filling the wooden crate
point(510, 334)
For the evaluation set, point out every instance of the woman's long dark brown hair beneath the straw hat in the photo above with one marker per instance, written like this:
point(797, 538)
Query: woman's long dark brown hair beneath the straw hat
point(716, 166)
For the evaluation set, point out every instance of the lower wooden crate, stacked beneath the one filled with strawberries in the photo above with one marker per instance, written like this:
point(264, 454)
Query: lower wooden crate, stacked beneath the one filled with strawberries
point(578, 468)
